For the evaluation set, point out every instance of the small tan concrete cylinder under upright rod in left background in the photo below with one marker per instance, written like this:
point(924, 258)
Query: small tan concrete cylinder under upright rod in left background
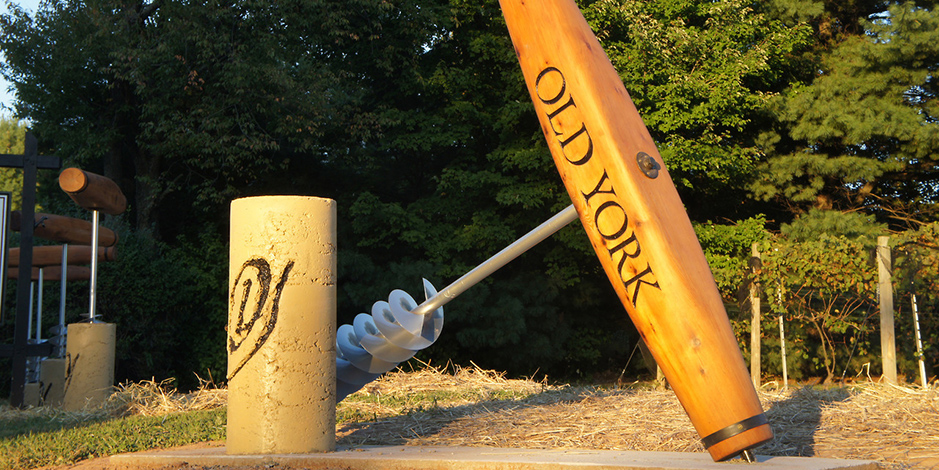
point(90, 355)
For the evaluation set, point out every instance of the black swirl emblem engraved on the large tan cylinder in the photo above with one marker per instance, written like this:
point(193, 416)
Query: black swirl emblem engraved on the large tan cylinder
point(256, 316)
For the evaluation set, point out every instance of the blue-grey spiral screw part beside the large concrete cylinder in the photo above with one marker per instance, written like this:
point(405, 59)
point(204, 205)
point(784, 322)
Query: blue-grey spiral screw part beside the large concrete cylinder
point(376, 343)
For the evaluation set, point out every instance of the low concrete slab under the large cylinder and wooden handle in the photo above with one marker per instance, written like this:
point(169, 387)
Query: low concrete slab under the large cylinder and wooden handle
point(470, 458)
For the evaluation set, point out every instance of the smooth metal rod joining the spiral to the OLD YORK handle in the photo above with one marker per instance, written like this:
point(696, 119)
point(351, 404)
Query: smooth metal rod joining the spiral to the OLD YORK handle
point(500, 259)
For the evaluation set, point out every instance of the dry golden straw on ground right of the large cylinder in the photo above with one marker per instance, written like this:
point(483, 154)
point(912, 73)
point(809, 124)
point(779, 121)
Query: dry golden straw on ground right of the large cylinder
point(896, 426)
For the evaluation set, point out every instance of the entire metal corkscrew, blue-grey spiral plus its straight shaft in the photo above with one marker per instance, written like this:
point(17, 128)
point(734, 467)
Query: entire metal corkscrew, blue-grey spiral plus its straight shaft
point(397, 329)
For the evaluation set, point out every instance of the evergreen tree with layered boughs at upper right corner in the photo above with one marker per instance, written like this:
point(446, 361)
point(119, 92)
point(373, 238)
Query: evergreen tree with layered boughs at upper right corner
point(863, 135)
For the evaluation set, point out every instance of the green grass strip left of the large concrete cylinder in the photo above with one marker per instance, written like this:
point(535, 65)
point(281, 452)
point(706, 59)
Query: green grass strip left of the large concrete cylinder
point(58, 440)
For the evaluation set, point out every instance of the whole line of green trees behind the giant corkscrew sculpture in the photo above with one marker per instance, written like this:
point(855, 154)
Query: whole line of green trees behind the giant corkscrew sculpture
point(798, 119)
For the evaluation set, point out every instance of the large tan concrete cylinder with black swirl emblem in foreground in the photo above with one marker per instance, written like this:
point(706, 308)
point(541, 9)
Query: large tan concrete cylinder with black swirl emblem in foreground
point(282, 326)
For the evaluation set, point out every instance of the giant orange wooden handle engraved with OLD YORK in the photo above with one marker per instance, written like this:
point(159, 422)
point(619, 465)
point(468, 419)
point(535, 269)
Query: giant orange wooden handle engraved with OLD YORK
point(635, 221)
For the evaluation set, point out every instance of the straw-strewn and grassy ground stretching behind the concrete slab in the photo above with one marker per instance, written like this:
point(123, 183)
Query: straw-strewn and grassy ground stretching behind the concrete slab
point(896, 426)
